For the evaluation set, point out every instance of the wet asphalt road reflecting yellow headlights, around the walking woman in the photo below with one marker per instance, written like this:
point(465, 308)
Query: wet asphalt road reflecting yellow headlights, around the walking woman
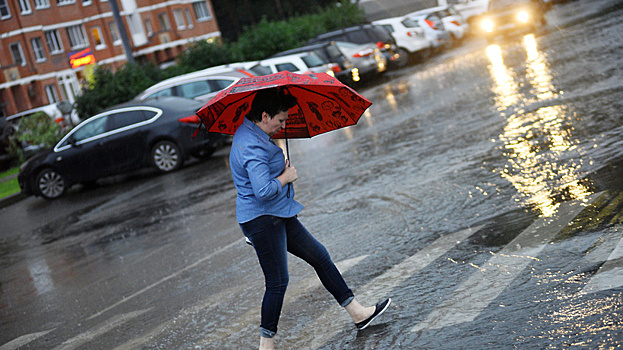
point(481, 191)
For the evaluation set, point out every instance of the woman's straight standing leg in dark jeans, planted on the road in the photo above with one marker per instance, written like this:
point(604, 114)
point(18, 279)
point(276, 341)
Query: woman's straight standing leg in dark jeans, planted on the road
point(268, 235)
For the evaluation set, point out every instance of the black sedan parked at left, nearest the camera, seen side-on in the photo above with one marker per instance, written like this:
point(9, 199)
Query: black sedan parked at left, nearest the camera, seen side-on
point(156, 132)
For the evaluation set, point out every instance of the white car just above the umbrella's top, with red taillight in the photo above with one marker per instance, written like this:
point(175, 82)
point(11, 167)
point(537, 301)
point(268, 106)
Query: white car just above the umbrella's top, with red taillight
point(299, 63)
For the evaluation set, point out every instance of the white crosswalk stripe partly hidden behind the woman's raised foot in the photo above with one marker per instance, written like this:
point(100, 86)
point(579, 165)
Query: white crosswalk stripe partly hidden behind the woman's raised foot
point(334, 320)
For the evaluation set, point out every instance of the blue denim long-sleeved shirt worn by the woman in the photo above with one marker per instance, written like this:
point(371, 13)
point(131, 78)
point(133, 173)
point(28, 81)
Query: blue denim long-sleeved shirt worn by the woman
point(255, 163)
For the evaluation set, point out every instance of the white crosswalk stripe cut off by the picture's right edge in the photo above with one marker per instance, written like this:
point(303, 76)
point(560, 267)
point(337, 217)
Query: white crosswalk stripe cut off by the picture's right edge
point(610, 274)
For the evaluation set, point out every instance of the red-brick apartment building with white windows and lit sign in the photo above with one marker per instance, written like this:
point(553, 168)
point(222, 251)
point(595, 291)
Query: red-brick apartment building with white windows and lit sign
point(49, 47)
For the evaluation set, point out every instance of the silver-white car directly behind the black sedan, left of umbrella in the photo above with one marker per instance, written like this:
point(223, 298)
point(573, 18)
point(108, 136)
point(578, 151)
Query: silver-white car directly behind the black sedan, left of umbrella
point(201, 85)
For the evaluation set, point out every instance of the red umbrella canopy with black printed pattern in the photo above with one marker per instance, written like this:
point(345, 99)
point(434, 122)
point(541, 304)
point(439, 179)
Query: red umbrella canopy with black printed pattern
point(323, 104)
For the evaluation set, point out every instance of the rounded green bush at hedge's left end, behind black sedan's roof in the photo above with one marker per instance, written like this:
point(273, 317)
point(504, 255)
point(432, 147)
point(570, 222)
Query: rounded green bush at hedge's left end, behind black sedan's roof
point(108, 88)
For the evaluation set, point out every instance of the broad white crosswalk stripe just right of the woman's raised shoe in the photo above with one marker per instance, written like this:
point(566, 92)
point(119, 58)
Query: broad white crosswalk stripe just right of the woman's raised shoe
point(487, 282)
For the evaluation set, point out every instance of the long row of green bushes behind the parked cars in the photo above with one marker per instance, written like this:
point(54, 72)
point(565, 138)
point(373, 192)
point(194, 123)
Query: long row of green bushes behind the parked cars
point(259, 42)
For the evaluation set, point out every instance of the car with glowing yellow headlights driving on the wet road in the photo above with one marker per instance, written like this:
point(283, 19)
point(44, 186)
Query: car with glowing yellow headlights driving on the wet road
point(506, 16)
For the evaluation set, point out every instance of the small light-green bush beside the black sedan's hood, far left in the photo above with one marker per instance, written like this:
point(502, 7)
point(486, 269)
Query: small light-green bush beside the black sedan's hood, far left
point(38, 129)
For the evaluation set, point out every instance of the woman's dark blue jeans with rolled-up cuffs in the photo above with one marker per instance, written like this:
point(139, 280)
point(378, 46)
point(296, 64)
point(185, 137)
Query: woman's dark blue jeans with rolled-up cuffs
point(272, 238)
